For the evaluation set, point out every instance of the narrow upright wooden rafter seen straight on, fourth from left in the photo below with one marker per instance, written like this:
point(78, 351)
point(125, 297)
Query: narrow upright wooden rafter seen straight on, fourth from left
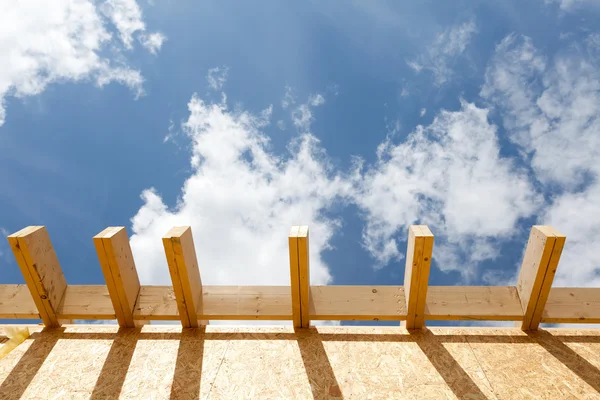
point(300, 276)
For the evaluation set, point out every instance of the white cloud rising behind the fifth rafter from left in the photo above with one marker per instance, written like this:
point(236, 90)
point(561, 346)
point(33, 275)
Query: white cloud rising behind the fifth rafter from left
point(450, 176)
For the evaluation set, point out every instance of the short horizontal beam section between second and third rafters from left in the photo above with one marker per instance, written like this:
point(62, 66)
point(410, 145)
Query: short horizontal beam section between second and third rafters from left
point(156, 303)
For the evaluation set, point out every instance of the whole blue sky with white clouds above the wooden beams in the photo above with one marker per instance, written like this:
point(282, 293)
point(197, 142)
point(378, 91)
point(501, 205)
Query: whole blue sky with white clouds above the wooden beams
point(477, 118)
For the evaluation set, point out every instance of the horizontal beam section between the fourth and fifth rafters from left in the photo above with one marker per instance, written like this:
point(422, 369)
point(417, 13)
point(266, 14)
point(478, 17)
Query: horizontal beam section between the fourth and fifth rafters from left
point(377, 303)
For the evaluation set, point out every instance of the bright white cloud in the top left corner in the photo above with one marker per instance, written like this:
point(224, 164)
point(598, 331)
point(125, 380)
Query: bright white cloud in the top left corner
point(64, 40)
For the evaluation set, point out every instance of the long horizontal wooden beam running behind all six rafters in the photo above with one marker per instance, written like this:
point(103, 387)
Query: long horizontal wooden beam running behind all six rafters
point(384, 303)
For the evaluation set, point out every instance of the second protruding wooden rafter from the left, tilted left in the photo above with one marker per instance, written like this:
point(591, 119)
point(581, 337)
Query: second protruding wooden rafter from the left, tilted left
point(118, 267)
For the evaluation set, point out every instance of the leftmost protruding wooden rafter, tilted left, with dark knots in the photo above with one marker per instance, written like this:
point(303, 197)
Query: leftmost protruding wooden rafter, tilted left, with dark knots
point(42, 272)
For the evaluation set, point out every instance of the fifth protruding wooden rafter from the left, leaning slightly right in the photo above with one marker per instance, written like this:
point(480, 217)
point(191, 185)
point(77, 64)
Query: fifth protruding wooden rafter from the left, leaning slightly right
point(416, 274)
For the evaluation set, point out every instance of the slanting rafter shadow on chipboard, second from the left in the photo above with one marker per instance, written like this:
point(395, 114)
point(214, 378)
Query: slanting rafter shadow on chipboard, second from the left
point(112, 376)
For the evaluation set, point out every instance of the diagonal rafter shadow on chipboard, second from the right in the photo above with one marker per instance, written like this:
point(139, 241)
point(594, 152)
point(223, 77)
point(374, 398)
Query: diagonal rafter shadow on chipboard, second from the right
point(450, 370)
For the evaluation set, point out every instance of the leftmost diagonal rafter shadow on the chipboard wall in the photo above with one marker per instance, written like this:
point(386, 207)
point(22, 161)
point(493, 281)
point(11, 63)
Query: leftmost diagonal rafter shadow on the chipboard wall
point(30, 363)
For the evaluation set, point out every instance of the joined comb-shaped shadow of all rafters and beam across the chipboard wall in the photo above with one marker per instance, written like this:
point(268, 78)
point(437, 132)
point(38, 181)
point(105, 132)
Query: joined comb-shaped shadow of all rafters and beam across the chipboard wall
point(320, 374)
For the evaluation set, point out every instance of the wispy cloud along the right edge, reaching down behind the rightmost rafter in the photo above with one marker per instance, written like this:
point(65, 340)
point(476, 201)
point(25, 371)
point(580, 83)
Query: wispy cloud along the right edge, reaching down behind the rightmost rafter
point(551, 110)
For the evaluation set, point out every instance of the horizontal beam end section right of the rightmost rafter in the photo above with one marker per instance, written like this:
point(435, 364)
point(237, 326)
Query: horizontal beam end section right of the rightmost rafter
point(573, 305)
